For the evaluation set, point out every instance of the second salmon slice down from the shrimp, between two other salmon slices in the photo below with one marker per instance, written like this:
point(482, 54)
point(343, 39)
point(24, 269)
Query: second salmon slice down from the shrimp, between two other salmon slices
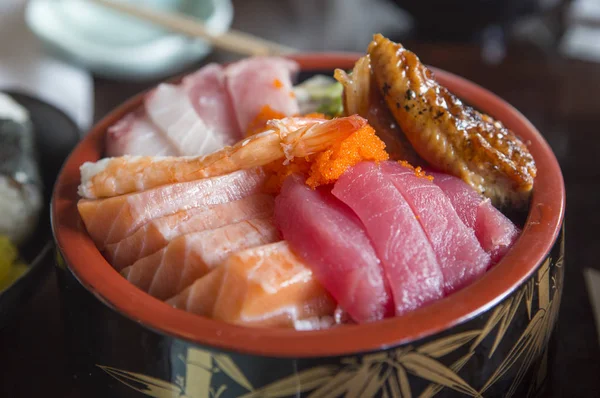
point(157, 233)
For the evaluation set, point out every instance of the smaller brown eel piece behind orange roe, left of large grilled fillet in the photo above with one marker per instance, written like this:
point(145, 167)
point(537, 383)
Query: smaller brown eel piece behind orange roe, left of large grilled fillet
point(361, 97)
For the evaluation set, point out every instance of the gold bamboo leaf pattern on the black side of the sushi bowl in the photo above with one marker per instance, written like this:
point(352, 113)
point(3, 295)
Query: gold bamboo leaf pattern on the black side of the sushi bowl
point(387, 373)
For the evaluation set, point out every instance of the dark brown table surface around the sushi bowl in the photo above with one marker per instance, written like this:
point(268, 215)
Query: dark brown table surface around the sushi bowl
point(559, 96)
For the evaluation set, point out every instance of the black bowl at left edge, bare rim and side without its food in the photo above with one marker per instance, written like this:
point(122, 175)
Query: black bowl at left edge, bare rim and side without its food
point(55, 135)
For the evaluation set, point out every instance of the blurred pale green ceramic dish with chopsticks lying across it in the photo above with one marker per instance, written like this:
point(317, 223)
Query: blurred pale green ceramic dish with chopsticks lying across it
point(118, 46)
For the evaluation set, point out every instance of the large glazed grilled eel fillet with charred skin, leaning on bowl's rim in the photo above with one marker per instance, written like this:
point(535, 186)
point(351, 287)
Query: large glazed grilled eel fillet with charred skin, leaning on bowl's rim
point(450, 135)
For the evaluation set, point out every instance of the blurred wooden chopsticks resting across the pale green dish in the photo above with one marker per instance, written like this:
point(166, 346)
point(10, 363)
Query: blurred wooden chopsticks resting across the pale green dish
point(234, 41)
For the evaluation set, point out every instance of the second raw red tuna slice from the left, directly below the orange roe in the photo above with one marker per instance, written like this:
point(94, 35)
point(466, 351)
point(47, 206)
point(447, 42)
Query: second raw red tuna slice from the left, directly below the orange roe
point(409, 261)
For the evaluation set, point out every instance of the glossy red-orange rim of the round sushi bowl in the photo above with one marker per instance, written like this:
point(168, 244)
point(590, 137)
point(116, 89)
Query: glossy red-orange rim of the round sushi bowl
point(540, 232)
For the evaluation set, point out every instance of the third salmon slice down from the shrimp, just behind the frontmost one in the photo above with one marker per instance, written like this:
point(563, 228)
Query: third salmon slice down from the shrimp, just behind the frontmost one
point(189, 257)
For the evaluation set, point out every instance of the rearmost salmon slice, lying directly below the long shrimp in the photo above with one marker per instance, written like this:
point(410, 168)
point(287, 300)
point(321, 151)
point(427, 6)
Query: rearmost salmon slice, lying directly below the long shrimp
point(113, 219)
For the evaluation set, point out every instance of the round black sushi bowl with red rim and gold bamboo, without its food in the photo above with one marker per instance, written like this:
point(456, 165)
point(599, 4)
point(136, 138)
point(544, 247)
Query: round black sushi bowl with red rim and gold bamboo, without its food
point(489, 339)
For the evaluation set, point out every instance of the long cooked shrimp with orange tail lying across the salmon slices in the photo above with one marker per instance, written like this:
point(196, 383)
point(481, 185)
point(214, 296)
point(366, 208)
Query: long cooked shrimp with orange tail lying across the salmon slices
point(287, 138)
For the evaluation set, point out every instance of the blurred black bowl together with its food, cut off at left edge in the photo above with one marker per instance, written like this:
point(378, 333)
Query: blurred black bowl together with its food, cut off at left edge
point(26, 258)
